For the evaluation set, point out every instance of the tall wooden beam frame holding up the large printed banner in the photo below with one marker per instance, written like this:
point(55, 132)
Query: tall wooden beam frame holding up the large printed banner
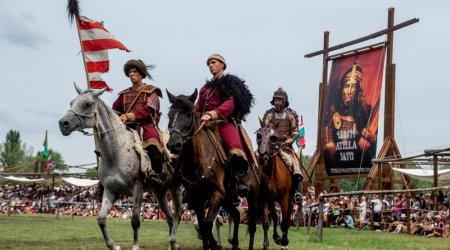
point(380, 175)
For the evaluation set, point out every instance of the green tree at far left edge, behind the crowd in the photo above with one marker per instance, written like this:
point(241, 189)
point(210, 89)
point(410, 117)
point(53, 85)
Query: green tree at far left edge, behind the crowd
point(13, 149)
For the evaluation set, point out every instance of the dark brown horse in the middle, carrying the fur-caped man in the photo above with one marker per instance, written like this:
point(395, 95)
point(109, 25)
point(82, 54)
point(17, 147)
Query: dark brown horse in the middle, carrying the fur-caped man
point(201, 170)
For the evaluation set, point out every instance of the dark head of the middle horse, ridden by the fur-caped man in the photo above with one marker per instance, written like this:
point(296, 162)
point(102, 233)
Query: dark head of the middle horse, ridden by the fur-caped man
point(181, 120)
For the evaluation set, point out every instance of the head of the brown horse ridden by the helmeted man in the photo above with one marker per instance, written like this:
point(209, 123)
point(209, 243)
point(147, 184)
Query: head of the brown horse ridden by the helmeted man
point(267, 140)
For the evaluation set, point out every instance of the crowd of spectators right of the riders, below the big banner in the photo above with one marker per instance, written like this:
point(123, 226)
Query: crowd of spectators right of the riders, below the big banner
point(429, 213)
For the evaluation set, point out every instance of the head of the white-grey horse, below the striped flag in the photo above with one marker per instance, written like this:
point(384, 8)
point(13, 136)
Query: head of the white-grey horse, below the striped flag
point(82, 111)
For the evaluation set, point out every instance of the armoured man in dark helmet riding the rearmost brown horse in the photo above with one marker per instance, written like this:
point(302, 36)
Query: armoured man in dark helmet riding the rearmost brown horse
point(288, 131)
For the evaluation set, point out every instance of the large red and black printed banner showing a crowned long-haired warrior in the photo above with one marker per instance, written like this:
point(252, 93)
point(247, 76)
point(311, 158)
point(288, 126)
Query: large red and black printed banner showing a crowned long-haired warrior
point(350, 121)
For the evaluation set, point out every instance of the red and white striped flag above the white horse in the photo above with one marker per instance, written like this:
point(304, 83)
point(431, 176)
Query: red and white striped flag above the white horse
point(96, 41)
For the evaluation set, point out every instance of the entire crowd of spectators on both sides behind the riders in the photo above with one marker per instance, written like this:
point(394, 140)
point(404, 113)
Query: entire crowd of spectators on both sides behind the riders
point(429, 213)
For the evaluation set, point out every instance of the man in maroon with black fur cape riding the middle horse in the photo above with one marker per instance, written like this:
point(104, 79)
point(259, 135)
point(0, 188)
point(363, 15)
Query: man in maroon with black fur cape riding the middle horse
point(226, 99)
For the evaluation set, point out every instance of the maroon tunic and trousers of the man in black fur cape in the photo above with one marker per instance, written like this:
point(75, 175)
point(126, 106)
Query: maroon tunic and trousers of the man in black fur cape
point(211, 103)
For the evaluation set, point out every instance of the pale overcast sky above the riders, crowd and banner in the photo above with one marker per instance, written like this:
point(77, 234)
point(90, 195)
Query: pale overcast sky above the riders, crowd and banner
point(263, 42)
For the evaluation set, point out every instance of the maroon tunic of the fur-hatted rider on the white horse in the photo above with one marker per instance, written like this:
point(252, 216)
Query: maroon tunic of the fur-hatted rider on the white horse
point(145, 111)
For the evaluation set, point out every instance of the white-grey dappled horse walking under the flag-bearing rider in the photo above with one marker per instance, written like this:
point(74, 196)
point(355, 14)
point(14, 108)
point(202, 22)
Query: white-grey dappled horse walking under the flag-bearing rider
point(119, 164)
